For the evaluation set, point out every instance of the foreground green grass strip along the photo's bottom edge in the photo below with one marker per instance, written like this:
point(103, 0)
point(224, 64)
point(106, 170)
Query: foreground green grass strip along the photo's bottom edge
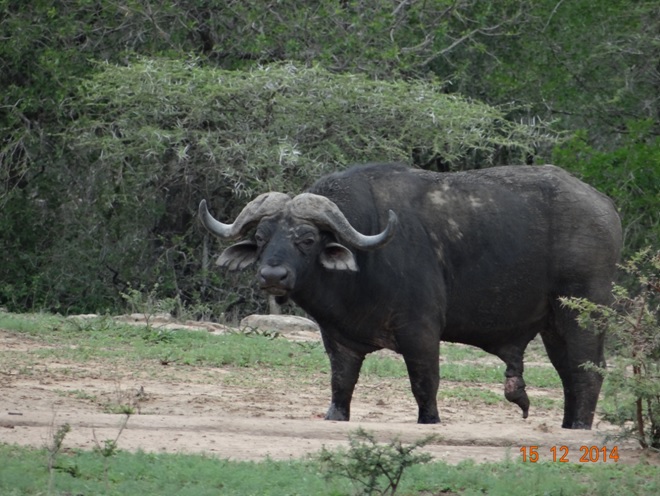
point(148, 474)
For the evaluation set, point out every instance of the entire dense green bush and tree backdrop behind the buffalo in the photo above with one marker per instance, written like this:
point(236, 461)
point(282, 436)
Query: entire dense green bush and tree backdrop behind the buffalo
point(118, 116)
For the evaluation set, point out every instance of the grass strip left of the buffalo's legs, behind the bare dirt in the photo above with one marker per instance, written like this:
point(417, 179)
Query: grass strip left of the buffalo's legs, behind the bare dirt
point(103, 340)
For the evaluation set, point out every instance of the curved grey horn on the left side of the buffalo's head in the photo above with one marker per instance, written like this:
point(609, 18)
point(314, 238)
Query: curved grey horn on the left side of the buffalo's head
point(263, 205)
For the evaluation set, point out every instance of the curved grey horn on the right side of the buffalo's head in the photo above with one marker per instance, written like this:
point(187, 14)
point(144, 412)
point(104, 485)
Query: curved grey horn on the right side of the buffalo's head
point(325, 212)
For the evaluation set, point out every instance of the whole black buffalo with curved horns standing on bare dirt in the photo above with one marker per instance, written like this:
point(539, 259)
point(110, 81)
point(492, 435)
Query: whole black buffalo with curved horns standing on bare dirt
point(386, 256)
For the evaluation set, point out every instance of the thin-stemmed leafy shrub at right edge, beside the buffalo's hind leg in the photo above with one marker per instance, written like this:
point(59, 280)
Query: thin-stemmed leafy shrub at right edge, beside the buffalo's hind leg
point(632, 385)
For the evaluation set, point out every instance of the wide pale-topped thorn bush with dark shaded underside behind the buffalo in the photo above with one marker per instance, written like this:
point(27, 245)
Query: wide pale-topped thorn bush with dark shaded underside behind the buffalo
point(148, 139)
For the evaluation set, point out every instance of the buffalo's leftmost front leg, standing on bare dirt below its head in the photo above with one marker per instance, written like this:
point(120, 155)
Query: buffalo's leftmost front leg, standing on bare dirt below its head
point(345, 369)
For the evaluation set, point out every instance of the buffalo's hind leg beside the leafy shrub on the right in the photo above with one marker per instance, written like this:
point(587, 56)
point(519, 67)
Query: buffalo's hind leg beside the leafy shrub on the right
point(569, 347)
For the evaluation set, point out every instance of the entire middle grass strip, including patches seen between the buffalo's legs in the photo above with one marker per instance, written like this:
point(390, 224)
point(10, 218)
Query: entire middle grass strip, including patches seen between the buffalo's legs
point(102, 339)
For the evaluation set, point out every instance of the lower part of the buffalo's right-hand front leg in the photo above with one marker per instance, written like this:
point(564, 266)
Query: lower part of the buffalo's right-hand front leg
point(424, 381)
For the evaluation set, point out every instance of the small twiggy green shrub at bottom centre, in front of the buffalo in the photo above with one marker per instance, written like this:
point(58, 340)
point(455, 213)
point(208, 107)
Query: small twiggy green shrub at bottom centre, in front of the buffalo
point(376, 468)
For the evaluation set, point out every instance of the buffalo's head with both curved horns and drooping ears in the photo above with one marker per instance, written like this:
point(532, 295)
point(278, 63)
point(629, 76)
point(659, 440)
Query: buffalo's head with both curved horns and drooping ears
point(292, 236)
